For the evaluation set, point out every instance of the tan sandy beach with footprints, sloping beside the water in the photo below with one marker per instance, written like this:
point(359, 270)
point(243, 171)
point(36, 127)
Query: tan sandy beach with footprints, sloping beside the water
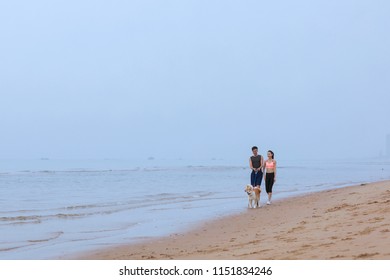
point(347, 223)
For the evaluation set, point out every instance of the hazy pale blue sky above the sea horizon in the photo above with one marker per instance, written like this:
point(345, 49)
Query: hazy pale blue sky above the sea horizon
point(194, 79)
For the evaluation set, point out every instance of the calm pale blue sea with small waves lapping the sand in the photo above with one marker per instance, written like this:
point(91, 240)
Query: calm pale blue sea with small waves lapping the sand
point(57, 209)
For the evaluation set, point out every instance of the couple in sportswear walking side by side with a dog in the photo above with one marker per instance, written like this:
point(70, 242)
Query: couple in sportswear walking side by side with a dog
point(257, 165)
